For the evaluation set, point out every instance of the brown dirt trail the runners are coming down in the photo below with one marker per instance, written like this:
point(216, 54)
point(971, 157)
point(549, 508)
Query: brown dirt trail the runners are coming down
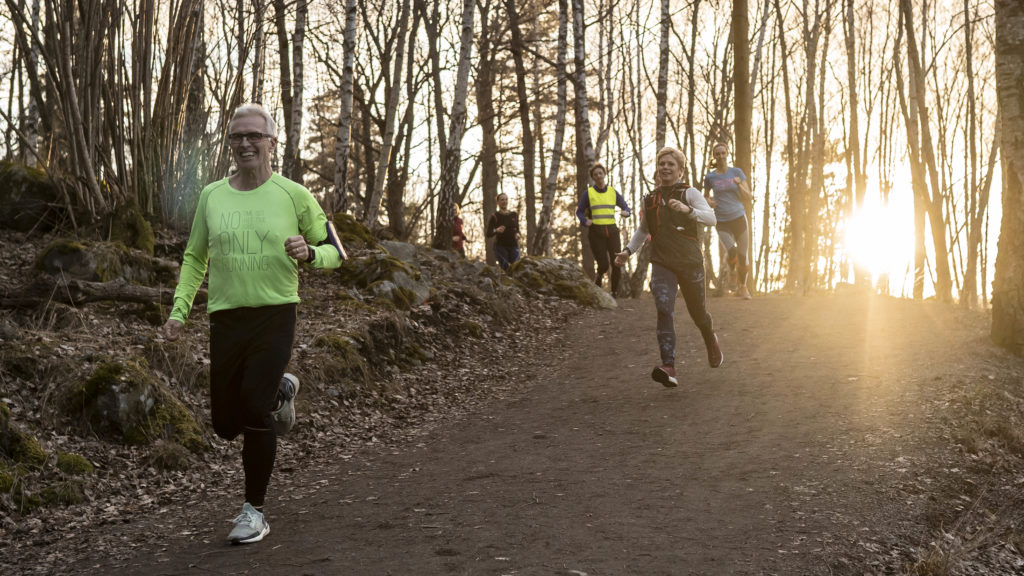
point(805, 448)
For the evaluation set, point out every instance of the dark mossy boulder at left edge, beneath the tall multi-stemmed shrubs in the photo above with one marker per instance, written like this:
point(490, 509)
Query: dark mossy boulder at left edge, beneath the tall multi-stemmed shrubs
point(29, 200)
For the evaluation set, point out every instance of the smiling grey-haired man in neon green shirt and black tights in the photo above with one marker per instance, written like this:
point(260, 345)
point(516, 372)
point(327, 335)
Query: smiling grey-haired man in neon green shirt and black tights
point(250, 232)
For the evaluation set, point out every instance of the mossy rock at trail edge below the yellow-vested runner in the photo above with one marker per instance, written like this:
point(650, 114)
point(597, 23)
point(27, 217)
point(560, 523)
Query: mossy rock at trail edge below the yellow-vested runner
point(560, 278)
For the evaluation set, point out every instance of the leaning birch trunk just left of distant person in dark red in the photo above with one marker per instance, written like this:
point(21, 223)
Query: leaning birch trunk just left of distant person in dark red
point(453, 156)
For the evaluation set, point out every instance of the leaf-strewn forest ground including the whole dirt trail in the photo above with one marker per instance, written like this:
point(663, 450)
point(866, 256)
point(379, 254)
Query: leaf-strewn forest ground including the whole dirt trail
point(847, 434)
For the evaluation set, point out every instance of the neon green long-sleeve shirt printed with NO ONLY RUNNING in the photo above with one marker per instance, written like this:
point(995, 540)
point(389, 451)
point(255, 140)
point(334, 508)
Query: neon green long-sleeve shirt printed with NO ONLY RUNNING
point(240, 237)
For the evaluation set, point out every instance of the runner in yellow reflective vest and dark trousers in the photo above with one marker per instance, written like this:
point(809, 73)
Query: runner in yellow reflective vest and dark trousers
point(598, 213)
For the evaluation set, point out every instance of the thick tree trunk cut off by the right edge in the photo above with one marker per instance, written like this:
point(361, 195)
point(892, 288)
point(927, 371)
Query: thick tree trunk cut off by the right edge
point(1008, 286)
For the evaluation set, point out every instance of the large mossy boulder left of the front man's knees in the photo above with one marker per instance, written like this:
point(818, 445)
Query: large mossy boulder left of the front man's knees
point(122, 401)
